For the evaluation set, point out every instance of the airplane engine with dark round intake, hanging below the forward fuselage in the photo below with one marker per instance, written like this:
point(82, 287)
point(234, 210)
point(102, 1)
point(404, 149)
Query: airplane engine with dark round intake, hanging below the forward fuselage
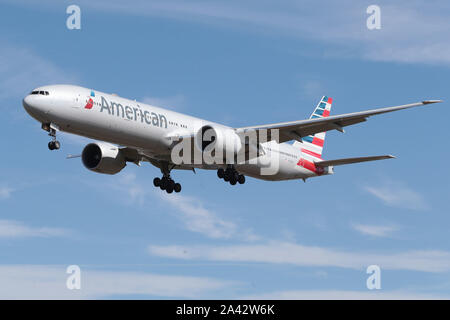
point(103, 158)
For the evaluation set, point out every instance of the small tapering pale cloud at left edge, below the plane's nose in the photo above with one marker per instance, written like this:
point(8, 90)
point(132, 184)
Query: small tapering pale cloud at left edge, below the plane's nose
point(16, 229)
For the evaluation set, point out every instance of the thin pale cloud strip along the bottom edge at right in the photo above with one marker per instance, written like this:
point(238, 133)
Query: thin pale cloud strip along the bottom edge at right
point(343, 295)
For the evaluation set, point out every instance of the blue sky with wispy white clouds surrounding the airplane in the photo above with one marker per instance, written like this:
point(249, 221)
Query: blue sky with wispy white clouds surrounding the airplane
point(241, 63)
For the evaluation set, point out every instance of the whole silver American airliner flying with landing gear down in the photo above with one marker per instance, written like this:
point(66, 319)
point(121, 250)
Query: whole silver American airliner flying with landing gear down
point(130, 131)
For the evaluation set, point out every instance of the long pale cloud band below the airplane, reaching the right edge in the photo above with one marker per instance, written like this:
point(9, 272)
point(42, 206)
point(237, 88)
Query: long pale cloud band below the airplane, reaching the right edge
point(300, 255)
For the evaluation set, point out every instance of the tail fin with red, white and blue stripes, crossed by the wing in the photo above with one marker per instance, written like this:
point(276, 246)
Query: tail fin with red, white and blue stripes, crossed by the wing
point(312, 145)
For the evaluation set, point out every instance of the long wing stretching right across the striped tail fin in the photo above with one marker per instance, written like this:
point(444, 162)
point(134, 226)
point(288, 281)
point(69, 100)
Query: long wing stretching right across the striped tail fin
point(295, 130)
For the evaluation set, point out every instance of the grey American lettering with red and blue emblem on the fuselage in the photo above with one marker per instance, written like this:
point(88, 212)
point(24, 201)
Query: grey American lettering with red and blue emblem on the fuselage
point(134, 113)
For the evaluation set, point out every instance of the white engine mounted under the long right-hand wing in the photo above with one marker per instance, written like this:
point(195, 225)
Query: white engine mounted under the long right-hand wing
point(223, 139)
